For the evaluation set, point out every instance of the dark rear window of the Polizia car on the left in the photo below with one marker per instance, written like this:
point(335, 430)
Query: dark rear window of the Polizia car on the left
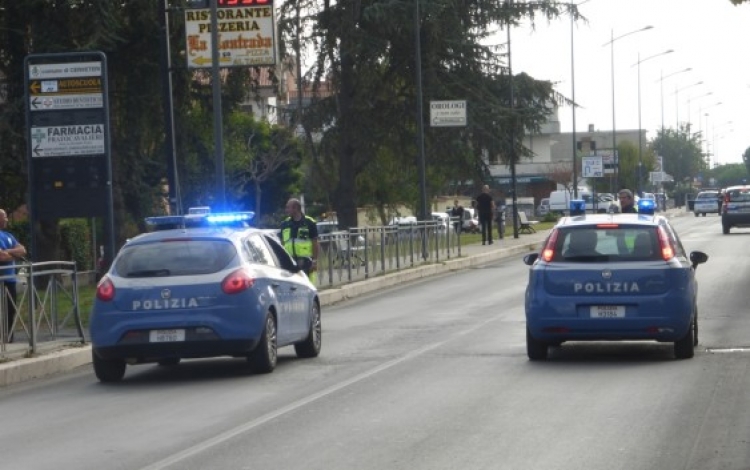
point(182, 257)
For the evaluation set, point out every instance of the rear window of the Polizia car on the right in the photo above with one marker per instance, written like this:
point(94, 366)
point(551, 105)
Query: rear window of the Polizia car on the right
point(596, 244)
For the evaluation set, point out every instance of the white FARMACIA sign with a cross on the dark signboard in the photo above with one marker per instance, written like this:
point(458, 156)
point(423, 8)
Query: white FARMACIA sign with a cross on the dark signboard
point(67, 140)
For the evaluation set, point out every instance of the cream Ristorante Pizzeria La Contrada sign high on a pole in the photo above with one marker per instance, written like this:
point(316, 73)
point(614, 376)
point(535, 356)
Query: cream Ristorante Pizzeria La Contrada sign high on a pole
point(246, 35)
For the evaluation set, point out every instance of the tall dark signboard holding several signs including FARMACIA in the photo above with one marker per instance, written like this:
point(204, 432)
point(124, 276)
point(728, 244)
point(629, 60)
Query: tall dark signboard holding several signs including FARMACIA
point(68, 141)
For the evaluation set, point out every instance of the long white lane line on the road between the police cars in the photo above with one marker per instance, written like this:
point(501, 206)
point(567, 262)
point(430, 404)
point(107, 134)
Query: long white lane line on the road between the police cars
point(232, 433)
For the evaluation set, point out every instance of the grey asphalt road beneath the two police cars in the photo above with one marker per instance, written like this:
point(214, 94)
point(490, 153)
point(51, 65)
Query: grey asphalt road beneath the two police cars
point(430, 375)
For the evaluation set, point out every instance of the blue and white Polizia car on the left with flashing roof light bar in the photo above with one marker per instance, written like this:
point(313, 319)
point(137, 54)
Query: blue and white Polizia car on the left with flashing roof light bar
point(203, 285)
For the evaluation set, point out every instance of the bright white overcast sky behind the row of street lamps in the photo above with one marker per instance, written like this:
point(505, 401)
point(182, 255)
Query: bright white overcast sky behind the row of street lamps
point(710, 37)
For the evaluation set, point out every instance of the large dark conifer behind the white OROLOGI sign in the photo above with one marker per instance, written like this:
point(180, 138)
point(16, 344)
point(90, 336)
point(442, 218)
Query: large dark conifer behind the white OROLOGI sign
point(366, 50)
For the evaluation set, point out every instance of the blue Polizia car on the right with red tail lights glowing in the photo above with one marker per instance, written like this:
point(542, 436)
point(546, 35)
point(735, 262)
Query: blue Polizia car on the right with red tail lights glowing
point(612, 277)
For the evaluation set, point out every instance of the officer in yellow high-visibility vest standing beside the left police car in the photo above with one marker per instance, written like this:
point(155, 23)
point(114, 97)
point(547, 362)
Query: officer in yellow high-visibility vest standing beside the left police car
point(299, 235)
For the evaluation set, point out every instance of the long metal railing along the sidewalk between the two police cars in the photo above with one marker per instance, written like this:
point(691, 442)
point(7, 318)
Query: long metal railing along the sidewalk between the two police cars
point(364, 252)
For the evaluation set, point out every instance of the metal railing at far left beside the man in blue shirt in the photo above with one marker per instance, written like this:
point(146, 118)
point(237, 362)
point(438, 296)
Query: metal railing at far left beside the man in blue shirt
point(46, 304)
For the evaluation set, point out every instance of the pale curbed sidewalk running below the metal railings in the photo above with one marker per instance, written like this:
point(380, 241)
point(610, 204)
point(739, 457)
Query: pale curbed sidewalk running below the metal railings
point(62, 356)
